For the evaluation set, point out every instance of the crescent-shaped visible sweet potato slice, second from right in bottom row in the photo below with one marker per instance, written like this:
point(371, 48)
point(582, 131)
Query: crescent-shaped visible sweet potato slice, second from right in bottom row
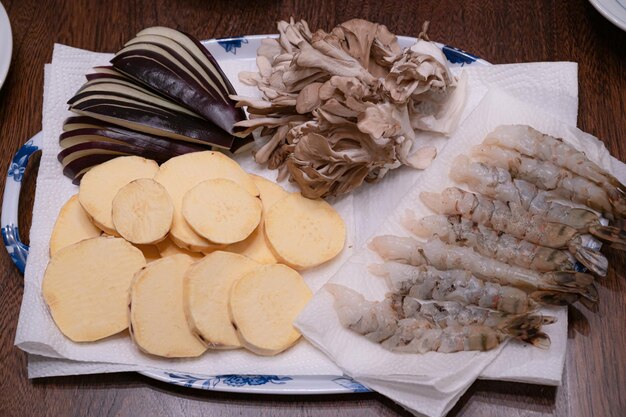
point(206, 290)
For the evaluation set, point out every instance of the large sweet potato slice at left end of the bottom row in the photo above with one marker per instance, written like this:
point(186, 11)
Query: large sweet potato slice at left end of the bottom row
point(86, 287)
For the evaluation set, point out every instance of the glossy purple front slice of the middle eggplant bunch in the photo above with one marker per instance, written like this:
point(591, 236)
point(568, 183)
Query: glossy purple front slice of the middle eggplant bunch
point(145, 119)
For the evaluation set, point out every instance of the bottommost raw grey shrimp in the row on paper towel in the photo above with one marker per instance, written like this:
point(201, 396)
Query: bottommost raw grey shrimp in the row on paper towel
point(419, 333)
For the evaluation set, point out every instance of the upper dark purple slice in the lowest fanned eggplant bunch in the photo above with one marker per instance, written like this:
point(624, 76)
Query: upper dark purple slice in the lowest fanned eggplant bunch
point(167, 147)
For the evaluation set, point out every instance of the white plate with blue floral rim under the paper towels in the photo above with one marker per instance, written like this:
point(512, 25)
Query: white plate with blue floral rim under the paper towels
point(240, 49)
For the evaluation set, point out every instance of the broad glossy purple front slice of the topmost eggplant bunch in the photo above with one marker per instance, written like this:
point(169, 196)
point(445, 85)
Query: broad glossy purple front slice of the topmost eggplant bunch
point(162, 75)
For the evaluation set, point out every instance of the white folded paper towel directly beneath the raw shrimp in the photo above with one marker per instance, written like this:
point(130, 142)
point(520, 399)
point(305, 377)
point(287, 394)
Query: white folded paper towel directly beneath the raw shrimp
point(431, 383)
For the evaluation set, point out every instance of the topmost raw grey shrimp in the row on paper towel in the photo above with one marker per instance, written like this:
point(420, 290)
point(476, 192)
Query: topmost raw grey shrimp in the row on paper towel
point(535, 144)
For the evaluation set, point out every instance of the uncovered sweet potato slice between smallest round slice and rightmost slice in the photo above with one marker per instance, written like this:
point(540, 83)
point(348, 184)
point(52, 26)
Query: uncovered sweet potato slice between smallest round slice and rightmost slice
point(221, 211)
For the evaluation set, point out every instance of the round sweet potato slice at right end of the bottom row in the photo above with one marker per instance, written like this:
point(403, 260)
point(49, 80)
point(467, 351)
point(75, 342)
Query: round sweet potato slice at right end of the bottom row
point(263, 305)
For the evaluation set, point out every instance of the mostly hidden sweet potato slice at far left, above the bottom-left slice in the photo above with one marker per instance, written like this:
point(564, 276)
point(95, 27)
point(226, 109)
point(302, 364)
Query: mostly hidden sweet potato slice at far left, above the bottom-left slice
point(72, 225)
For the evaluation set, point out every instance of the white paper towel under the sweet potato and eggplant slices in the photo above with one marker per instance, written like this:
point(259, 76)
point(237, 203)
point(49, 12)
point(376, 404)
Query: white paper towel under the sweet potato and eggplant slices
point(36, 331)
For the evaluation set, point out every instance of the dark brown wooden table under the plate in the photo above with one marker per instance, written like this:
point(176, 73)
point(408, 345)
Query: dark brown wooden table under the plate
point(594, 382)
